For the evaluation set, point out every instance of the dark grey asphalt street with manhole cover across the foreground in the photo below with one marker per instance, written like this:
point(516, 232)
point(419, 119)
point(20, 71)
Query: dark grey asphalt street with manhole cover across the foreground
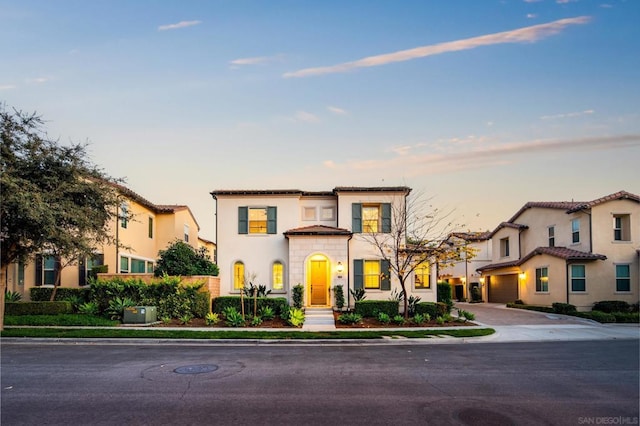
point(542, 383)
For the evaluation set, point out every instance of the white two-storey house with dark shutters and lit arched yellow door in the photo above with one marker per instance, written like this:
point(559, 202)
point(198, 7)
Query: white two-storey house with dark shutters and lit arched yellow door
point(282, 238)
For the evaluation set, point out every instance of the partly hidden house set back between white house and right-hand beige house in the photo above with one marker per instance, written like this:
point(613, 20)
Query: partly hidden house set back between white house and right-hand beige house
point(462, 275)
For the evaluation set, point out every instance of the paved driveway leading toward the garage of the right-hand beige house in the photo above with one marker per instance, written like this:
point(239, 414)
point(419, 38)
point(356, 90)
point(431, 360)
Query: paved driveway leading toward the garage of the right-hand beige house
point(496, 314)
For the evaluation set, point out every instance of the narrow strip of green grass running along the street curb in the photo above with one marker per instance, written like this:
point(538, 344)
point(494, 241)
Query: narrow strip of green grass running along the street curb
point(239, 334)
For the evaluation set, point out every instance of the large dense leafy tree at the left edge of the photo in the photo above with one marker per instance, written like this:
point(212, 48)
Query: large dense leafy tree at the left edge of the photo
point(54, 199)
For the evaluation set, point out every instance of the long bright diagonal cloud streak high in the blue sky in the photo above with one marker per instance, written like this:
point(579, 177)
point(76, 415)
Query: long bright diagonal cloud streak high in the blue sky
point(521, 35)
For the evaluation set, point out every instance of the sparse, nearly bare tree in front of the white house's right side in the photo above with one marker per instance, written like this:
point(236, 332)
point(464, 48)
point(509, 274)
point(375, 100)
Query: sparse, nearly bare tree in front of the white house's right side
point(418, 231)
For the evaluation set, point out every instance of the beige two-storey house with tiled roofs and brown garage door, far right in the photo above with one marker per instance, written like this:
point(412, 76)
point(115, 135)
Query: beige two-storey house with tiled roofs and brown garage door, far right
point(571, 252)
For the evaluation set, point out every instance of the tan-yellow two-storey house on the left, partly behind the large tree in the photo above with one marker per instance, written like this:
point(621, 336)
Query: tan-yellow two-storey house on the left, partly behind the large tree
point(139, 233)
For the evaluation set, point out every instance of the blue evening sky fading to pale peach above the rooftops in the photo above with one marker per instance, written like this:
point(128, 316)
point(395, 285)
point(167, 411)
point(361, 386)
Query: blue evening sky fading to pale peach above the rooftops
point(479, 106)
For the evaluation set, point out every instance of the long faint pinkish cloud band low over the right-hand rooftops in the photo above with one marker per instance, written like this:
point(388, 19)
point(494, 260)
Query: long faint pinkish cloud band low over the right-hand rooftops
point(484, 155)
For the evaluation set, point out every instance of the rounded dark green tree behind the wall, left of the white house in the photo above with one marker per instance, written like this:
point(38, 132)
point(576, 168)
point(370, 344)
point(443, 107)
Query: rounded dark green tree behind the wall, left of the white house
point(182, 259)
